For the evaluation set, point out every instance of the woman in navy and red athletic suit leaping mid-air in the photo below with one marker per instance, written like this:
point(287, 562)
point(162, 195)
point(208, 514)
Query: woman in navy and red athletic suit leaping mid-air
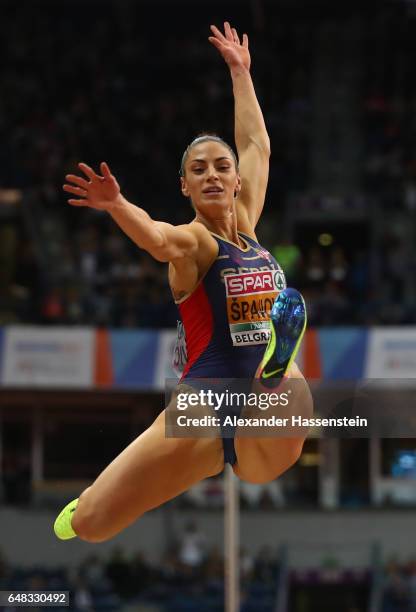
point(219, 275)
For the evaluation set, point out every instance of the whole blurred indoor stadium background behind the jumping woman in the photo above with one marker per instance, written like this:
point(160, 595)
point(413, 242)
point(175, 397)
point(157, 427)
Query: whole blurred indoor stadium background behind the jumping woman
point(88, 322)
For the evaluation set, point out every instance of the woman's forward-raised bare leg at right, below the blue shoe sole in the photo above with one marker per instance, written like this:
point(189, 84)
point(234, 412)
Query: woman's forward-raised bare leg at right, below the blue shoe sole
point(260, 460)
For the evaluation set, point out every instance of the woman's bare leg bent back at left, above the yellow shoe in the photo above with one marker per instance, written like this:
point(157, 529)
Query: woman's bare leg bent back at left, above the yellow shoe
point(150, 471)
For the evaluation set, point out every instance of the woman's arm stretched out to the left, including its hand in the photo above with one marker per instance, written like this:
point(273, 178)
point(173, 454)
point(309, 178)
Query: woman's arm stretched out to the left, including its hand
point(165, 242)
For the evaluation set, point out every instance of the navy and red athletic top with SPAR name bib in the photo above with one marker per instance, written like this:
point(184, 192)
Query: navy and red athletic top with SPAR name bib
point(226, 317)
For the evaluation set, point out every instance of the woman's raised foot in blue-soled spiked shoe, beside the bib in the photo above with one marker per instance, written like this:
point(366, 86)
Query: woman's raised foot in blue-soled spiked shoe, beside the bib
point(287, 326)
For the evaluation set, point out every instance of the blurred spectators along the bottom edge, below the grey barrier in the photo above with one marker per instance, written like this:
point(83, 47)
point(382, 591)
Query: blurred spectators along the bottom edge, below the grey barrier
point(190, 577)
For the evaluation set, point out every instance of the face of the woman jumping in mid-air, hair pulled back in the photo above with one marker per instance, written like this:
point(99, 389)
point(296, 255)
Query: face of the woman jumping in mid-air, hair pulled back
point(211, 179)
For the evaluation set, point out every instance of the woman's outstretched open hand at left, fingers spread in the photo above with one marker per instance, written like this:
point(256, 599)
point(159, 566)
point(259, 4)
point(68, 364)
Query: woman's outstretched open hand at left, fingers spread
point(101, 192)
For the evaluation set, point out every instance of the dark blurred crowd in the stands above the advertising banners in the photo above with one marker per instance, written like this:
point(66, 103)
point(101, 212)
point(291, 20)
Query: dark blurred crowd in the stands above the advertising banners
point(74, 95)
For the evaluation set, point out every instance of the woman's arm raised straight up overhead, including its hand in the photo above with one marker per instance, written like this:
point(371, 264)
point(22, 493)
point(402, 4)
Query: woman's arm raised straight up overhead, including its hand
point(251, 138)
